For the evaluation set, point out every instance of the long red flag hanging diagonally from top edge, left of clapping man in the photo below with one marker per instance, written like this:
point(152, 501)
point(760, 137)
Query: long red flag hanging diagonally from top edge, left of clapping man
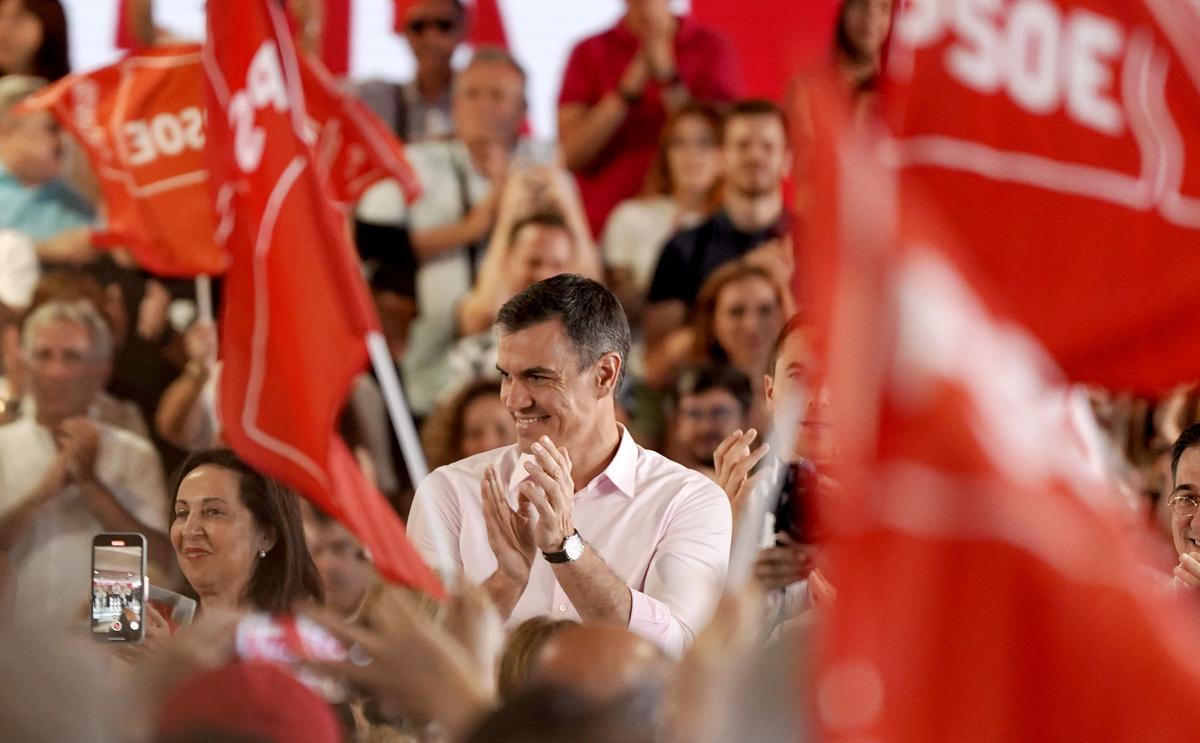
point(296, 311)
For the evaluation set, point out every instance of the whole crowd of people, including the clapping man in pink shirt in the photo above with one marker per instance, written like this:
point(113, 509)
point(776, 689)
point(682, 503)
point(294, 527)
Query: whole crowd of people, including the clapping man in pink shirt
point(601, 345)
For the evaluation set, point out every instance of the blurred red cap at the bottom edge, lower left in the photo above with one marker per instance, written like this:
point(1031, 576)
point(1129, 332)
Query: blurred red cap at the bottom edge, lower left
point(256, 699)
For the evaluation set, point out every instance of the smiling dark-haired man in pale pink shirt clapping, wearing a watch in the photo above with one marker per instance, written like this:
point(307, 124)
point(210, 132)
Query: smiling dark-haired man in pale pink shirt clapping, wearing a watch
point(577, 520)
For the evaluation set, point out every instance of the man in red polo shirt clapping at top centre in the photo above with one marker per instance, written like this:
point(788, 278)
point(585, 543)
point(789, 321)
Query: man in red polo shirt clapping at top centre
point(619, 89)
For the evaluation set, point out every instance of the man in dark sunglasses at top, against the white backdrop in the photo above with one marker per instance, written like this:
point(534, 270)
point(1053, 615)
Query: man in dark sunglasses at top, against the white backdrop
point(421, 110)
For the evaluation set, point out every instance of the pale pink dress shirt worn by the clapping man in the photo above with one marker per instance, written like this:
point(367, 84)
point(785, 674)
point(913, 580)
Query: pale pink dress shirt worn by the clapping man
point(663, 529)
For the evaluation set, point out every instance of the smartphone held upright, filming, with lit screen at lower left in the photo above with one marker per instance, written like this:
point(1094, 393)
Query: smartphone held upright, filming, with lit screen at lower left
point(118, 588)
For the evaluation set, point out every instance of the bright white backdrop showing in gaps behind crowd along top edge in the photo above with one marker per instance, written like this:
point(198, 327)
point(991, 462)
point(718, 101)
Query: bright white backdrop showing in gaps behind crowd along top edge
point(541, 33)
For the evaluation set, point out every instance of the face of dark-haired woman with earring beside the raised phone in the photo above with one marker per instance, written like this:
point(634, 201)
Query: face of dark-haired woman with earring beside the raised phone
point(215, 536)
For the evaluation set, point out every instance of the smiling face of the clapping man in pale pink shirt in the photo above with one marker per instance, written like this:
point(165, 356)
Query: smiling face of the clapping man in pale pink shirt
point(545, 390)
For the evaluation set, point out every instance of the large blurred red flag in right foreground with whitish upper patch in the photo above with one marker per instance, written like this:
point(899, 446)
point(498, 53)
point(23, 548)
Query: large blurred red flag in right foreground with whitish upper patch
point(991, 585)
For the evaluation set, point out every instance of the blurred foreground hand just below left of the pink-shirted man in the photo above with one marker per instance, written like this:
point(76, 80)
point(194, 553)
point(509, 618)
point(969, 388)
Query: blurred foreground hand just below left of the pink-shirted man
point(415, 667)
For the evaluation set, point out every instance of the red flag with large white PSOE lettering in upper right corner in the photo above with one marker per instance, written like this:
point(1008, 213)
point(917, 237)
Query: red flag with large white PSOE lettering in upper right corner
point(1061, 142)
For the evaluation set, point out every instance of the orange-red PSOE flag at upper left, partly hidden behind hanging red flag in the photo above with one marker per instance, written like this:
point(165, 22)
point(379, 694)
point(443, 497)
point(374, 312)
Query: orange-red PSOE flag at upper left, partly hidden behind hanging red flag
point(141, 124)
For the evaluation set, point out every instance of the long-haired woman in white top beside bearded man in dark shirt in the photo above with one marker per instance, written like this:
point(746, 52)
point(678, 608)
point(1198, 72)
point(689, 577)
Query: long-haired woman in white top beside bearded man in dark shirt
point(681, 190)
